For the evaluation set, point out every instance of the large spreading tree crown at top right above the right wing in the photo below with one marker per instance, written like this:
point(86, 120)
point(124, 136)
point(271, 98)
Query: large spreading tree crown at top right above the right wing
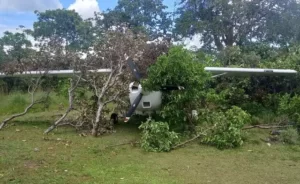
point(224, 23)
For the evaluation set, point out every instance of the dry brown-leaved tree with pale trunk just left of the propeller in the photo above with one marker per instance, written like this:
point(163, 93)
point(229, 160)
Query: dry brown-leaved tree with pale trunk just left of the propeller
point(120, 45)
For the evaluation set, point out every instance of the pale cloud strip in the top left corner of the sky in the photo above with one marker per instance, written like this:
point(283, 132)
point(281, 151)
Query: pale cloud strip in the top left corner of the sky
point(29, 5)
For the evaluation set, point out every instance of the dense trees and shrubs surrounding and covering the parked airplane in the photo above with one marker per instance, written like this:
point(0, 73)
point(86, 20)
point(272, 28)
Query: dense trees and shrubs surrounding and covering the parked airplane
point(236, 33)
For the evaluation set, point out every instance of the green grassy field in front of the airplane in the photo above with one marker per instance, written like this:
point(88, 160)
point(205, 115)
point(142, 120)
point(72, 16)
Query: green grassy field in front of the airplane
point(27, 156)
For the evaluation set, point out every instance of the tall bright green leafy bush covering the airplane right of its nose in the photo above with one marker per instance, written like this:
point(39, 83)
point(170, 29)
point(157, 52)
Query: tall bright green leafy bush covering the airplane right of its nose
point(178, 68)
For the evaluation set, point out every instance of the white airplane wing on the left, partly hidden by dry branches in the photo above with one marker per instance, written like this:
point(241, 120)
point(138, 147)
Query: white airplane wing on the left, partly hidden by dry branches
point(59, 73)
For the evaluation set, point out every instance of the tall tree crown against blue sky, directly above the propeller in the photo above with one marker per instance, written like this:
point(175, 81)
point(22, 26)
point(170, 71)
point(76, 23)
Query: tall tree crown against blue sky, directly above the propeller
point(148, 16)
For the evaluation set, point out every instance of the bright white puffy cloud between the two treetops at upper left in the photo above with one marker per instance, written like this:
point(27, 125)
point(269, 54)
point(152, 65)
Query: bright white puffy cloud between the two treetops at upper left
point(85, 8)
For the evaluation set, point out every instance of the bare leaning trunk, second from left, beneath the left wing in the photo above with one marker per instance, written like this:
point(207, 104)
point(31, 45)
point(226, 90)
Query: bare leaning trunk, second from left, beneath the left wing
point(71, 90)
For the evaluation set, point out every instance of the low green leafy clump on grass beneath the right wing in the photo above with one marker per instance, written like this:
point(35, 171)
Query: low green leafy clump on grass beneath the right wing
point(227, 128)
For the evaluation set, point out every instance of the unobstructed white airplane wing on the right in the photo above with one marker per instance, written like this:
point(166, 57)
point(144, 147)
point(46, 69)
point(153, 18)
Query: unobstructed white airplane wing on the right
point(222, 71)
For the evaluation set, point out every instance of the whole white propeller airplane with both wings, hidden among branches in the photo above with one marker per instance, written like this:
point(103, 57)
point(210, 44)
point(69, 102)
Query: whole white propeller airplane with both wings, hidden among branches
point(146, 102)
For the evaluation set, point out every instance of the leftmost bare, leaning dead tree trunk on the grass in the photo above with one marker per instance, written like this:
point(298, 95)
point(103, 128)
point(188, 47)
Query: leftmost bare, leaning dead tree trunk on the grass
point(31, 90)
